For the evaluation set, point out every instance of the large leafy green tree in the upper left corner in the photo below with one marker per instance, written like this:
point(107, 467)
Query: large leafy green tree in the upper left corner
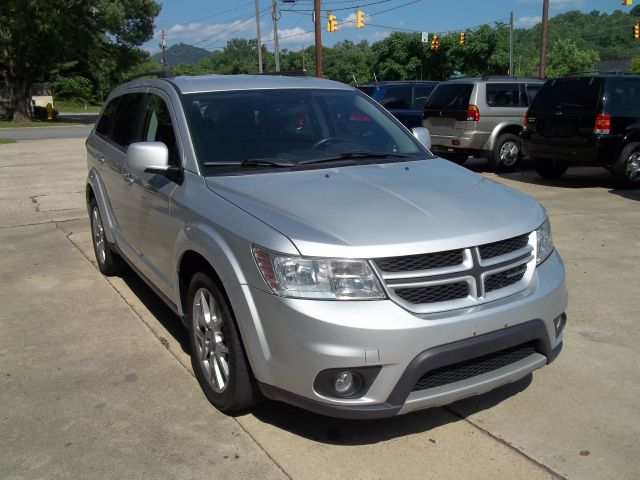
point(37, 36)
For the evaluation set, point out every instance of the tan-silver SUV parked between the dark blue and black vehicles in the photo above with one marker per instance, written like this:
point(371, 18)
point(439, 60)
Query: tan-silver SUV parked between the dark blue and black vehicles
point(480, 117)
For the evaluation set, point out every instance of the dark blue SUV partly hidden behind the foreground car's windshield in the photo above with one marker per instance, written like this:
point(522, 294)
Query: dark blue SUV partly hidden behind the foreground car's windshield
point(404, 99)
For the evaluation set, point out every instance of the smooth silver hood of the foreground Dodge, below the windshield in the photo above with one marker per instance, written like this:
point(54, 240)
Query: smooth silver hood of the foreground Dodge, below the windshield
point(379, 210)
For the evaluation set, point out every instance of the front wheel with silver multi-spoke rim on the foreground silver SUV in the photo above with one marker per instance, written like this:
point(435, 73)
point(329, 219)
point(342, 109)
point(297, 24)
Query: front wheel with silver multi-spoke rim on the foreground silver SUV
point(217, 355)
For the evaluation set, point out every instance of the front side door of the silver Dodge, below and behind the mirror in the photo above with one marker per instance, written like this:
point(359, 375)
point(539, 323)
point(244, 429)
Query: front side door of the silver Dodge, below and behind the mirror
point(151, 193)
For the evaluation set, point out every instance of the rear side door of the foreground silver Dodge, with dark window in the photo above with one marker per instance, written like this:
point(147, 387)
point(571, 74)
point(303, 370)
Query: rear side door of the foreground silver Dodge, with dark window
point(119, 129)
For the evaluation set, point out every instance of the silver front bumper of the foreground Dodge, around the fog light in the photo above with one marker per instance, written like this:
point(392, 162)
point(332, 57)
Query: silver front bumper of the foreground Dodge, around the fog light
point(290, 341)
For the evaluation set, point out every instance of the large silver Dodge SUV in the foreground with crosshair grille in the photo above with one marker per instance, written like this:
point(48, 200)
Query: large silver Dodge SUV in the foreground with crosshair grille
point(316, 251)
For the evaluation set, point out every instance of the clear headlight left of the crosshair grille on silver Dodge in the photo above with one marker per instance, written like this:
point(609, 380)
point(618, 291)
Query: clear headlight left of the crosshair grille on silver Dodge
point(317, 278)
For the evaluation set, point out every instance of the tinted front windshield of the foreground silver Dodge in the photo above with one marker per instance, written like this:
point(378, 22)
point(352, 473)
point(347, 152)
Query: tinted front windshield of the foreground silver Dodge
point(233, 131)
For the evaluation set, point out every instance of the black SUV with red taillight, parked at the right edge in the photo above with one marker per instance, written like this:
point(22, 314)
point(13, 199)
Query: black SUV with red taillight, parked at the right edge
point(586, 120)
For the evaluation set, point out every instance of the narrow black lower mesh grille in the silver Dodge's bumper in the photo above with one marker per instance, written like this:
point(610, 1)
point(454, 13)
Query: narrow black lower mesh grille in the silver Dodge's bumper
point(474, 367)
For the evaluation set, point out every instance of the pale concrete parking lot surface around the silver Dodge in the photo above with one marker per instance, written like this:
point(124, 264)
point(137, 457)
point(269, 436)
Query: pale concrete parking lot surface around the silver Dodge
point(95, 381)
